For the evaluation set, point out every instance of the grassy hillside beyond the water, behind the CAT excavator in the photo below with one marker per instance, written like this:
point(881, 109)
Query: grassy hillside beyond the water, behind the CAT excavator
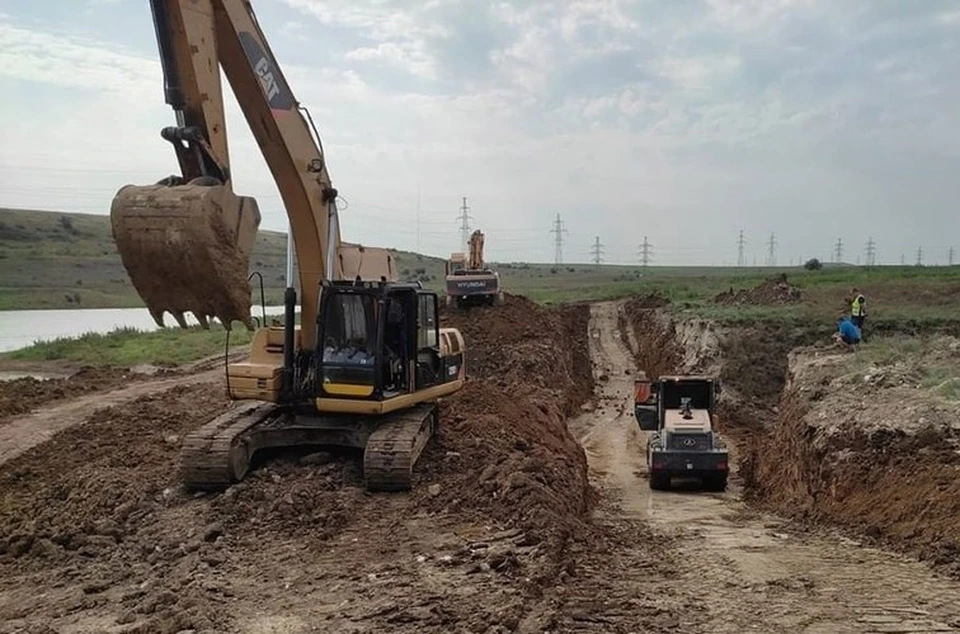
point(66, 260)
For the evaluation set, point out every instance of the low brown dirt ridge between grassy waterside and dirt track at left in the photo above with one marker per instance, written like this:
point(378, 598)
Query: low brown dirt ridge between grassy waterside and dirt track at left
point(21, 396)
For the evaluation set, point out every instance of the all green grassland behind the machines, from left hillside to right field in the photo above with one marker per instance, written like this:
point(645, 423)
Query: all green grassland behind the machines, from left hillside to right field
point(53, 260)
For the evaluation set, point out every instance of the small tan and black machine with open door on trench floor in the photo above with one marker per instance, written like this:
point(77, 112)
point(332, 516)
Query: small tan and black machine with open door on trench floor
point(678, 412)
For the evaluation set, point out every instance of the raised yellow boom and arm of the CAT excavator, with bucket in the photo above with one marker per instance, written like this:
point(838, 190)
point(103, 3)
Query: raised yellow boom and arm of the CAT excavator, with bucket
point(186, 241)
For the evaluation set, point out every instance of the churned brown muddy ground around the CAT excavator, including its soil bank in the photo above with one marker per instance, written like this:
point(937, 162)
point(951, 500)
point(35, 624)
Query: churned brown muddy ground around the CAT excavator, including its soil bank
point(96, 535)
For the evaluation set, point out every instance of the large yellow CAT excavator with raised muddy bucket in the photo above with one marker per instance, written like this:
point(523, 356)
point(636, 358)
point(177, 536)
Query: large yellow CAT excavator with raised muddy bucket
point(369, 361)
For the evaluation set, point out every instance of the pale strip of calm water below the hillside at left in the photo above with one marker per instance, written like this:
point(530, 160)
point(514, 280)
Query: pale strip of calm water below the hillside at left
point(22, 328)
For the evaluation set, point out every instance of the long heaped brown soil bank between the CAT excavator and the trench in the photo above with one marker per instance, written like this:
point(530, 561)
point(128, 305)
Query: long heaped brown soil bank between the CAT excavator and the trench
point(504, 448)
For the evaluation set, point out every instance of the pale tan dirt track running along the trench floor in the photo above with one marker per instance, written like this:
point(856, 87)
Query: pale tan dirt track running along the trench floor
point(742, 571)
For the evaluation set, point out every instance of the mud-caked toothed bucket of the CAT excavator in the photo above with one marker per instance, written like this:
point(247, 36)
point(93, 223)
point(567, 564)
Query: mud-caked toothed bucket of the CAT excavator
point(187, 249)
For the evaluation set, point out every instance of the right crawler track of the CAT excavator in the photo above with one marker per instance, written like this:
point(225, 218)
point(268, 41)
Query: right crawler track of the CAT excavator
point(395, 446)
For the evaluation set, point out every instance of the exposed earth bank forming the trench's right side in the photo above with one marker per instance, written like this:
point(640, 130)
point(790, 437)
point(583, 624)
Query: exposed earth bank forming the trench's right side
point(827, 438)
